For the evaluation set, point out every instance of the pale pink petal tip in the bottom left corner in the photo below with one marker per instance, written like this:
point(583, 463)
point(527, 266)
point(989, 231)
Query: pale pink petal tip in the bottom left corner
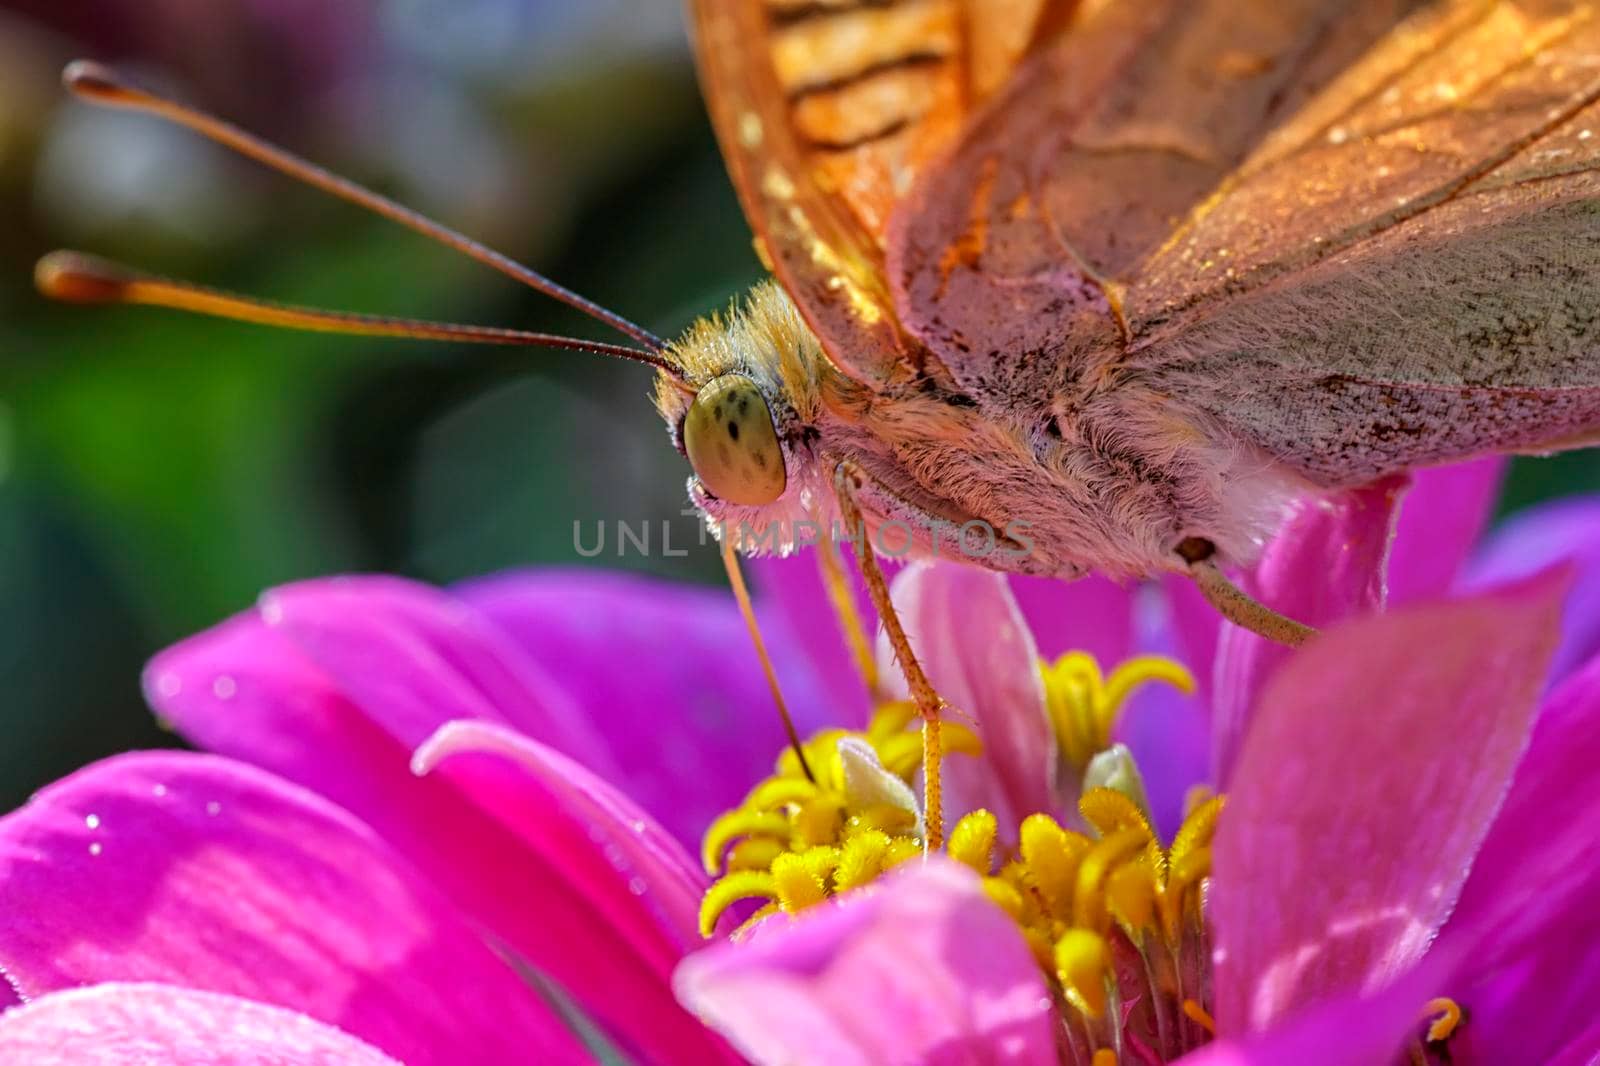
point(143, 1025)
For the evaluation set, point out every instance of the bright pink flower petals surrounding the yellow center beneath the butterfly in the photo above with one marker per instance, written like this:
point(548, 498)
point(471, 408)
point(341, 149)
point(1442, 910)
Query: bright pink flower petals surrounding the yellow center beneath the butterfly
point(447, 780)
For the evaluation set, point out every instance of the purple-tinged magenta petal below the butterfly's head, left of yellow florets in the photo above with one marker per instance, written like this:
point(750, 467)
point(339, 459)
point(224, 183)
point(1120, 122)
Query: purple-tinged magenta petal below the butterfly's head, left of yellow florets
point(666, 675)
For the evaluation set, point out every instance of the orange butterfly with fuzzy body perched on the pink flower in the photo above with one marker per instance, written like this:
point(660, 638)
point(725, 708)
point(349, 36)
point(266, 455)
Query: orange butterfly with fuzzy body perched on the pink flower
point(1100, 286)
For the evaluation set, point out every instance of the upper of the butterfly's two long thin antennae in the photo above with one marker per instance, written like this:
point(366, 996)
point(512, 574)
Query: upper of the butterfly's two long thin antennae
point(102, 86)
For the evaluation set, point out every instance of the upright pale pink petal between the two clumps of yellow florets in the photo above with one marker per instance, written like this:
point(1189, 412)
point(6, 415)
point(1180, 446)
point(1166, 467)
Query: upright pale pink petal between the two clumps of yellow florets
point(972, 641)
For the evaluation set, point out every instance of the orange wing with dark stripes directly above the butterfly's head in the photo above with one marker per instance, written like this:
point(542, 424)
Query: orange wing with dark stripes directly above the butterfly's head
point(826, 113)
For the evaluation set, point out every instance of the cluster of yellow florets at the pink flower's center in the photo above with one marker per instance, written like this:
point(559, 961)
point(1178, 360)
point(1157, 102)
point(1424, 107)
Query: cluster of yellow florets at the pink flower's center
point(1114, 916)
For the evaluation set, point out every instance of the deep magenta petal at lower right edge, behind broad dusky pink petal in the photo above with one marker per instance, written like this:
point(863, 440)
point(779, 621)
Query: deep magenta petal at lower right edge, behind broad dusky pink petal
point(1527, 923)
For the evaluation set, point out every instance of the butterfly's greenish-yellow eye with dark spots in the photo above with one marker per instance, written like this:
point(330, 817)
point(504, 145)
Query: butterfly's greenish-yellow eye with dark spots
point(732, 444)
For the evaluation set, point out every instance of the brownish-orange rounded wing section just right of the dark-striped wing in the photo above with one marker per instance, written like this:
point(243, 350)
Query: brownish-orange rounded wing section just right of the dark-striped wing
point(1010, 258)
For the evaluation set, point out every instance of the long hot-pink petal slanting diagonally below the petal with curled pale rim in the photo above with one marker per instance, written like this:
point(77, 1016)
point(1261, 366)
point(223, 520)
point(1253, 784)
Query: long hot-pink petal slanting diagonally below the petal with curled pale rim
point(247, 691)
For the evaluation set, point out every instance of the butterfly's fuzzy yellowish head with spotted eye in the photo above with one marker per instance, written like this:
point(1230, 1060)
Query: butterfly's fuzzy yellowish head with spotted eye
point(745, 411)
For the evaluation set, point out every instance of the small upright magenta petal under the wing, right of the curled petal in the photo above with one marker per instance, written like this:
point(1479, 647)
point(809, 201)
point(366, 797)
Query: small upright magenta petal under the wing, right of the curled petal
point(1441, 521)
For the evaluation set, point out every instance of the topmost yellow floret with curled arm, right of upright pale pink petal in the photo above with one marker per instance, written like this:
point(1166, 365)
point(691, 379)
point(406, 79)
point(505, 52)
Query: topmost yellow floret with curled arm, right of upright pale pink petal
point(1084, 705)
